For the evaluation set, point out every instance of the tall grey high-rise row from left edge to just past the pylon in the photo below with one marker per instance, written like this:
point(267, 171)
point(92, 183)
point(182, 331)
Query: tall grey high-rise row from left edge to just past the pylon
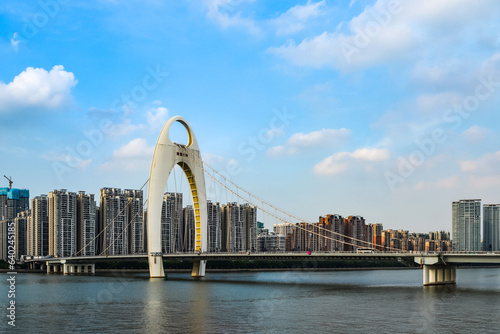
point(65, 223)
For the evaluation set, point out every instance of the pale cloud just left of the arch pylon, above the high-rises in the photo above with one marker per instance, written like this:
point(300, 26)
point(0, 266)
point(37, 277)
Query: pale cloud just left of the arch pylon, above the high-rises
point(134, 156)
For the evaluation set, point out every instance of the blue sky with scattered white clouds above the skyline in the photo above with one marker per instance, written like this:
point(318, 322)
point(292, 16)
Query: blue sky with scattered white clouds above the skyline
point(384, 109)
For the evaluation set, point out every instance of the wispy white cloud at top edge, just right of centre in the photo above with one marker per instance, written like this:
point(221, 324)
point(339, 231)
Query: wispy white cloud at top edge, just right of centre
point(296, 17)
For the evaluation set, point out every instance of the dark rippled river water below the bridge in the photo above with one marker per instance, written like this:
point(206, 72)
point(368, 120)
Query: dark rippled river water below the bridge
point(388, 301)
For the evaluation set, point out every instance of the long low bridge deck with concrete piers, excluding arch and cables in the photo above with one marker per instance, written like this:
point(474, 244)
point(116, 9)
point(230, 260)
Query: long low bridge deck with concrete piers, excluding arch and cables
point(438, 268)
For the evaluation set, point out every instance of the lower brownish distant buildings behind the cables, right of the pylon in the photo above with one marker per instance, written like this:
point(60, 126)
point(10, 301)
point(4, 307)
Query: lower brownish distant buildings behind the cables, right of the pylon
point(334, 233)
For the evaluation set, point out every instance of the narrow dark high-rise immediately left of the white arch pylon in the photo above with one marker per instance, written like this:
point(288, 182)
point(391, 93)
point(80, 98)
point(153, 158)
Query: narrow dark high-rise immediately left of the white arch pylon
point(135, 220)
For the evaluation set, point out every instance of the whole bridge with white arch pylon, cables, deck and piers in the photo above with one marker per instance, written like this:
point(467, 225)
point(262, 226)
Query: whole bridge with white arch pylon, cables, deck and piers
point(438, 268)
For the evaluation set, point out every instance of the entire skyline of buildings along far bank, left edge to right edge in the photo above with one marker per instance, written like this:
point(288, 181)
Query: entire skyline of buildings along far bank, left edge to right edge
point(65, 223)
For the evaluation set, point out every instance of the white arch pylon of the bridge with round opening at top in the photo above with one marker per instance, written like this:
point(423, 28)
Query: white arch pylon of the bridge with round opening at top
point(166, 156)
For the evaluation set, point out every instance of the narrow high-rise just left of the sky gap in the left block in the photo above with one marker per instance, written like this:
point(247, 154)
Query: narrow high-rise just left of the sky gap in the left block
point(86, 222)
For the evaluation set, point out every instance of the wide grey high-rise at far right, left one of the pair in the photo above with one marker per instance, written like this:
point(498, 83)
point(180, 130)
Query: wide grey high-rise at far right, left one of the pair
point(466, 225)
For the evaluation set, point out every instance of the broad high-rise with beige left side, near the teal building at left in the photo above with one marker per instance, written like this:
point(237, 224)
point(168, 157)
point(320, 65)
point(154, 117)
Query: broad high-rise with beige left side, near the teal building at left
point(62, 223)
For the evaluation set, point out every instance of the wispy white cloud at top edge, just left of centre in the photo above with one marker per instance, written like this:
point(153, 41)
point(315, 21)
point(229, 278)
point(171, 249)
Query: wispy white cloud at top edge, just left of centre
point(222, 12)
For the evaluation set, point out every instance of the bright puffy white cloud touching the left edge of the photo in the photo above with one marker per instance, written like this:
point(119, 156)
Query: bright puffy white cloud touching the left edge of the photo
point(37, 88)
